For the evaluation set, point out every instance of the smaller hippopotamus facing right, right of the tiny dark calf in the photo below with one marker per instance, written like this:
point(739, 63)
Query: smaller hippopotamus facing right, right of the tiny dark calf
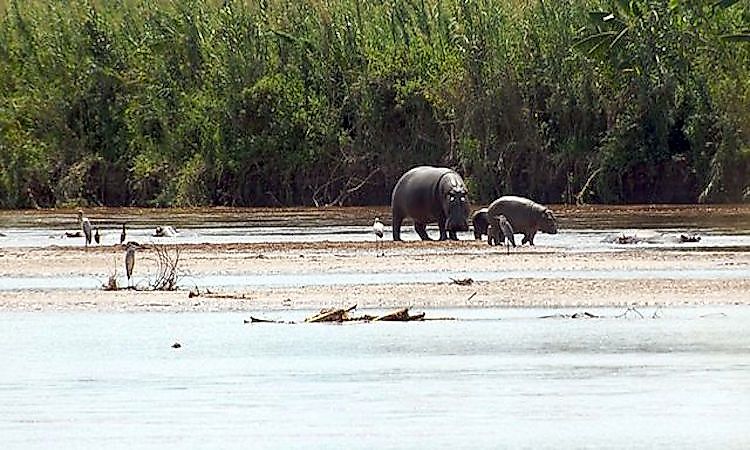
point(525, 216)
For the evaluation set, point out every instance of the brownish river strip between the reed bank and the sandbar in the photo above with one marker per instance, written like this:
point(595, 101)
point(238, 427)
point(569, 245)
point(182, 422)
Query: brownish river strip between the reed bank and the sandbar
point(588, 228)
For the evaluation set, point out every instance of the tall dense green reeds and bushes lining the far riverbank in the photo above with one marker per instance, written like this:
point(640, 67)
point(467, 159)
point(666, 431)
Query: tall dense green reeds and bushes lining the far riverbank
point(307, 102)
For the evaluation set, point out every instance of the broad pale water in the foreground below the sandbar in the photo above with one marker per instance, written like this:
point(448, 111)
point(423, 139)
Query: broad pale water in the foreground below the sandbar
point(499, 378)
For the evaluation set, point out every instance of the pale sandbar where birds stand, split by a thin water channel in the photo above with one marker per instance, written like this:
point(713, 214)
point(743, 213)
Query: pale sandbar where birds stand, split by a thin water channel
point(362, 258)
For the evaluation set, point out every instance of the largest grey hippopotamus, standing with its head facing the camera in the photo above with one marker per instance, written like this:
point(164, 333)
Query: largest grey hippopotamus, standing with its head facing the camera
point(430, 194)
